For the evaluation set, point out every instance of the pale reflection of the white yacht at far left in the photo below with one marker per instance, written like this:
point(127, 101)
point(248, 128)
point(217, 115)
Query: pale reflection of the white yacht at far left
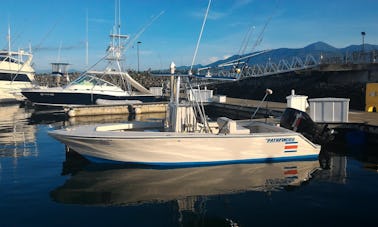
point(17, 136)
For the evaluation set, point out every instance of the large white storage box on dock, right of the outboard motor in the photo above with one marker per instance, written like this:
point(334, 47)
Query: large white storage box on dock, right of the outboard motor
point(329, 109)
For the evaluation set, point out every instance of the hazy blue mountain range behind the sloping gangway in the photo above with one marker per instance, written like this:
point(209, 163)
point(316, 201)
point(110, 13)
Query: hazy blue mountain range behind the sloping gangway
point(315, 49)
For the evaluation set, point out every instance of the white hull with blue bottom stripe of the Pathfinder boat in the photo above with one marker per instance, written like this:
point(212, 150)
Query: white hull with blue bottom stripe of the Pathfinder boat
point(168, 148)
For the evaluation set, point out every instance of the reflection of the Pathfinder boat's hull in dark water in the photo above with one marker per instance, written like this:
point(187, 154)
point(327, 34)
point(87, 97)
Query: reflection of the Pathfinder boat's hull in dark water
point(128, 186)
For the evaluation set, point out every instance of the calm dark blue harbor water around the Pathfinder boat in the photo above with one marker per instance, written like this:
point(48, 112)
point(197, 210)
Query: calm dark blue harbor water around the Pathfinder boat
point(40, 185)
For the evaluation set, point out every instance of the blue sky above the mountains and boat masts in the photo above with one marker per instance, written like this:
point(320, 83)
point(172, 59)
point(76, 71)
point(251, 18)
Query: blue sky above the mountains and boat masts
point(56, 30)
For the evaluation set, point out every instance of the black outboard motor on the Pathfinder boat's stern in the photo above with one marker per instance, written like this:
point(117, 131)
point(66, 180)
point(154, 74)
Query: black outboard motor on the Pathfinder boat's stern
point(301, 122)
